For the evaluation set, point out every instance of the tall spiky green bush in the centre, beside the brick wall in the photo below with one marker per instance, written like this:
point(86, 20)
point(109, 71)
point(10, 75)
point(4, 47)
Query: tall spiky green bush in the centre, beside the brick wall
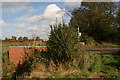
point(63, 45)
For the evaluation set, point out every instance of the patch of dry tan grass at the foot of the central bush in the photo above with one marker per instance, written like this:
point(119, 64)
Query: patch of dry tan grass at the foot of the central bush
point(41, 71)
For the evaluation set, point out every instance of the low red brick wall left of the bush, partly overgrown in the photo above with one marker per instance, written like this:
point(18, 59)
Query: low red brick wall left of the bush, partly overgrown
point(16, 54)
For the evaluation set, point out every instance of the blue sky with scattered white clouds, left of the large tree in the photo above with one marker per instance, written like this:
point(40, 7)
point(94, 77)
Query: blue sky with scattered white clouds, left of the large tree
point(32, 18)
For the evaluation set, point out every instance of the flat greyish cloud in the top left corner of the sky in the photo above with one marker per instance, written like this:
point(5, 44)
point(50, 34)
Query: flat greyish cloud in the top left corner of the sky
point(16, 7)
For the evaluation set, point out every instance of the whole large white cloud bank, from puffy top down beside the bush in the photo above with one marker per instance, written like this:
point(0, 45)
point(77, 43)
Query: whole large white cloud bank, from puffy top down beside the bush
point(41, 23)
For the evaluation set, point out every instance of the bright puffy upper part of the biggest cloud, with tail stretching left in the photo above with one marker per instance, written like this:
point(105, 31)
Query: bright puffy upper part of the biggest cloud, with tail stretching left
point(50, 14)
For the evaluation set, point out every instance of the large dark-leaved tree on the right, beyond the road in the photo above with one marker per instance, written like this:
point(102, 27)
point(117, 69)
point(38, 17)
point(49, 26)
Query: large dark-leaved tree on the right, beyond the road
point(96, 19)
